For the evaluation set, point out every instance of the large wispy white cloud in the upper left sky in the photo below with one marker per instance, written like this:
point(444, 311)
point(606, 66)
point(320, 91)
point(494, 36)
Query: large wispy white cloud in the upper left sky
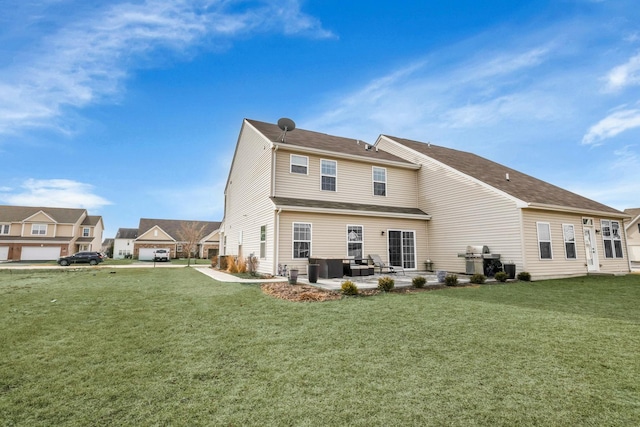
point(86, 61)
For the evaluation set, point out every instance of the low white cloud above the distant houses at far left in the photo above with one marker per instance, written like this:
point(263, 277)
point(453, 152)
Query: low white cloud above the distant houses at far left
point(53, 193)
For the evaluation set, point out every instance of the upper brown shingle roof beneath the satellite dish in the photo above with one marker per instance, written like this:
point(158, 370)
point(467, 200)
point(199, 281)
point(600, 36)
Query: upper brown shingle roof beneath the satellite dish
point(322, 141)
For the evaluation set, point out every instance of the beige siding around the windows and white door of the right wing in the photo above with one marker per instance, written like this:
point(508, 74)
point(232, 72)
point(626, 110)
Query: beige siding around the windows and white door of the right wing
point(560, 266)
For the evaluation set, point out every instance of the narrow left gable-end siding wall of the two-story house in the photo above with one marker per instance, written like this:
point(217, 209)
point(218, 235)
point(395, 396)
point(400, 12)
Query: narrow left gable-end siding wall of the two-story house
point(247, 204)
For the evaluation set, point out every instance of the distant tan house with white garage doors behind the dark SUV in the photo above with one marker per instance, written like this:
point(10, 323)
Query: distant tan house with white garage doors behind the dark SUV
point(42, 234)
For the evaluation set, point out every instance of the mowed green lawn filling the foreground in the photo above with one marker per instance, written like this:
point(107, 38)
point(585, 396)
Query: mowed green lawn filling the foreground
point(172, 347)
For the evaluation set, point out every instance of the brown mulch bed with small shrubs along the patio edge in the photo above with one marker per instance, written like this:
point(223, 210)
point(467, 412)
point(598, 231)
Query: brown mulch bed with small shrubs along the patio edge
point(306, 293)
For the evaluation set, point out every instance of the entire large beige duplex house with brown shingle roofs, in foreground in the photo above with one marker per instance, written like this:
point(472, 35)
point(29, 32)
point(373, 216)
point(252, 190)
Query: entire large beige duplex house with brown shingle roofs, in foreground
point(306, 194)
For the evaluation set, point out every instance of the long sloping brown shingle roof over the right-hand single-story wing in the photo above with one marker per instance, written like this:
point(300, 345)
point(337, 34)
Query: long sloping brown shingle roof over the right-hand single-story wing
point(519, 185)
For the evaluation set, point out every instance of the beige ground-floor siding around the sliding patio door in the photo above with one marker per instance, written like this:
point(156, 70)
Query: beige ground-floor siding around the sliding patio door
point(329, 236)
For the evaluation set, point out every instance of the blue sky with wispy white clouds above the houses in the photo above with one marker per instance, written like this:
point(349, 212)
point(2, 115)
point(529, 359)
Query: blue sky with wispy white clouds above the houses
point(132, 109)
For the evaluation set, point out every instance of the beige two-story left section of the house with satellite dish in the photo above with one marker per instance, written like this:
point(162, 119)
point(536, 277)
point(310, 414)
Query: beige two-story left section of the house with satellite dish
point(305, 194)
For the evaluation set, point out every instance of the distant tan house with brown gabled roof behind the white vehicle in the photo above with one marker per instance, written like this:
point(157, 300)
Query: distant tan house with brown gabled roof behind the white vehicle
point(166, 234)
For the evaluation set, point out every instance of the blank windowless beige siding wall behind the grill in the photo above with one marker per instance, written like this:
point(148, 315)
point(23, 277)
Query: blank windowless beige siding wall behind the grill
point(463, 212)
